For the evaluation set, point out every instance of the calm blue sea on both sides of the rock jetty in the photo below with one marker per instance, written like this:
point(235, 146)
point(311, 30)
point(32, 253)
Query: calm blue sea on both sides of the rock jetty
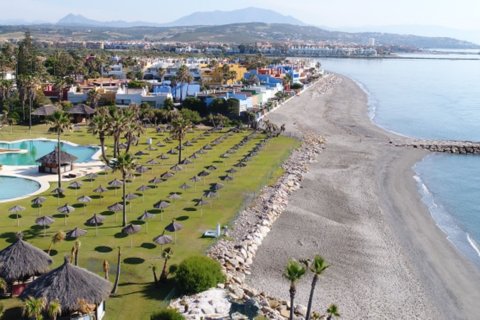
point(433, 99)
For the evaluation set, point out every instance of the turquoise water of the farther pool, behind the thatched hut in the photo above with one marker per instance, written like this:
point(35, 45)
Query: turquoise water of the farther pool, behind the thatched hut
point(38, 148)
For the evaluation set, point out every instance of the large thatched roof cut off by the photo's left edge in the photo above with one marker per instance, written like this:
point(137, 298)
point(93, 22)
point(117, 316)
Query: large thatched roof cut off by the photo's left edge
point(20, 261)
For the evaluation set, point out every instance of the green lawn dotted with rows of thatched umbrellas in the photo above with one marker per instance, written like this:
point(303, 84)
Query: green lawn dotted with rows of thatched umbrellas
point(137, 298)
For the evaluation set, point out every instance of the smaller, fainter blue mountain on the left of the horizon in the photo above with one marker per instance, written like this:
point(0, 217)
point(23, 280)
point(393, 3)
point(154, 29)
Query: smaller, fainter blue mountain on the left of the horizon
point(74, 20)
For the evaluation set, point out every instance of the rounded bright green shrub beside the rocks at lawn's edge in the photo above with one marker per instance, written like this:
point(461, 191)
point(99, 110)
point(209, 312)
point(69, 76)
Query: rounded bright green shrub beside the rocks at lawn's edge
point(197, 274)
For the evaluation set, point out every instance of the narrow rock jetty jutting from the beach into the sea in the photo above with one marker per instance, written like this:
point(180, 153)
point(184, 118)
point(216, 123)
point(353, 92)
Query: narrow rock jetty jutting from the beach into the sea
point(454, 147)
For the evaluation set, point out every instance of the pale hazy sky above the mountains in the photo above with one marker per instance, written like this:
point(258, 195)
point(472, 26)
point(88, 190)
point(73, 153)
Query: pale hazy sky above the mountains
point(457, 14)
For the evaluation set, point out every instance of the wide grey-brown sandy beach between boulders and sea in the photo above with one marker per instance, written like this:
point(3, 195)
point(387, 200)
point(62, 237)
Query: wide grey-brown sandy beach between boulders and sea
point(359, 208)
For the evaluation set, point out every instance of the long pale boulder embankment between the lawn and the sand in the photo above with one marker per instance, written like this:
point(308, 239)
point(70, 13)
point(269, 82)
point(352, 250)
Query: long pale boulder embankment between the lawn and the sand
point(237, 249)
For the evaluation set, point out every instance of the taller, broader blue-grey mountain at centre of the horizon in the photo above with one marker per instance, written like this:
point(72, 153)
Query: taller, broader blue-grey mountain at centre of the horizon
point(246, 15)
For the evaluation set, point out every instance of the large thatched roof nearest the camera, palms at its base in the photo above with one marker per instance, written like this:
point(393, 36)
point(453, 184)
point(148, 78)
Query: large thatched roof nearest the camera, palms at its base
point(69, 285)
